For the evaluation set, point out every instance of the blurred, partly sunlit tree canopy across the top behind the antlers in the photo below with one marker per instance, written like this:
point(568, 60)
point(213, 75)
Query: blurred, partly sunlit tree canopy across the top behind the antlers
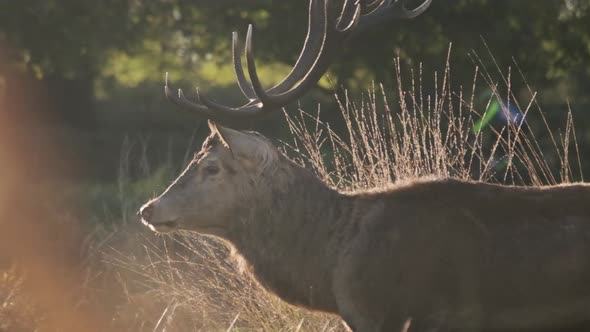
point(129, 43)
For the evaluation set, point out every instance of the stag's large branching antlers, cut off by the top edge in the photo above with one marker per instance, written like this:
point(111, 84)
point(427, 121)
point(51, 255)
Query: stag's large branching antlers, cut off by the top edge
point(323, 39)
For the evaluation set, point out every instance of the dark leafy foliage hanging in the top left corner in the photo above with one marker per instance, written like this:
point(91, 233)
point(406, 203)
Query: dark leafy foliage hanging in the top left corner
point(69, 37)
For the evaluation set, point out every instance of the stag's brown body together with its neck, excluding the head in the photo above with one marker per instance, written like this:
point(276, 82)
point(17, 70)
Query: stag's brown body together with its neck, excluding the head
point(442, 252)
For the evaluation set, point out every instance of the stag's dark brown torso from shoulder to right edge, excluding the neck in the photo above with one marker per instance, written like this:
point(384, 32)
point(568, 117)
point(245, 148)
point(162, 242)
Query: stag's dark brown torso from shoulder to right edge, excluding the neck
point(467, 256)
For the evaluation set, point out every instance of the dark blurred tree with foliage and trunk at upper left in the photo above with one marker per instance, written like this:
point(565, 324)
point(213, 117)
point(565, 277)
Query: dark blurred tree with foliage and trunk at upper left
point(63, 44)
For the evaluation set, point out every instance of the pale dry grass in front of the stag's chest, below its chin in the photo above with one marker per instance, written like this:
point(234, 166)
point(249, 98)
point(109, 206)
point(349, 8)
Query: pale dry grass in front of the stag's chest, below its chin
point(191, 283)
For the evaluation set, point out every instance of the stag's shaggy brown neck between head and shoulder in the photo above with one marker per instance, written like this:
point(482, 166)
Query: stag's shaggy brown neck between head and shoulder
point(291, 236)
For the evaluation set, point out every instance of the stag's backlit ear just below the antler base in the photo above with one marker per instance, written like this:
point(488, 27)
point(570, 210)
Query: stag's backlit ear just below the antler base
point(248, 145)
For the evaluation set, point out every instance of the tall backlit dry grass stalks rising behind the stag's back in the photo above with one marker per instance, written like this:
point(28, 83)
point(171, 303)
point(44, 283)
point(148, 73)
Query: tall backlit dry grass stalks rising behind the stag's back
point(440, 133)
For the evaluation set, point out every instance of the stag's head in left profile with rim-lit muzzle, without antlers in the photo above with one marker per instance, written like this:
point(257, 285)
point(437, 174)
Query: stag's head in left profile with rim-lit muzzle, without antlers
point(218, 182)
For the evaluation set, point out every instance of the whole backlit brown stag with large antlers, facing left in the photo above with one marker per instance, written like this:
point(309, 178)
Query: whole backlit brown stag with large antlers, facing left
point(428, 255)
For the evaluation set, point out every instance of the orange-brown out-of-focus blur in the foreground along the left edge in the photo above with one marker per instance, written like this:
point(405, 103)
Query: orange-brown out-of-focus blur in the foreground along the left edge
point(43, 242)
